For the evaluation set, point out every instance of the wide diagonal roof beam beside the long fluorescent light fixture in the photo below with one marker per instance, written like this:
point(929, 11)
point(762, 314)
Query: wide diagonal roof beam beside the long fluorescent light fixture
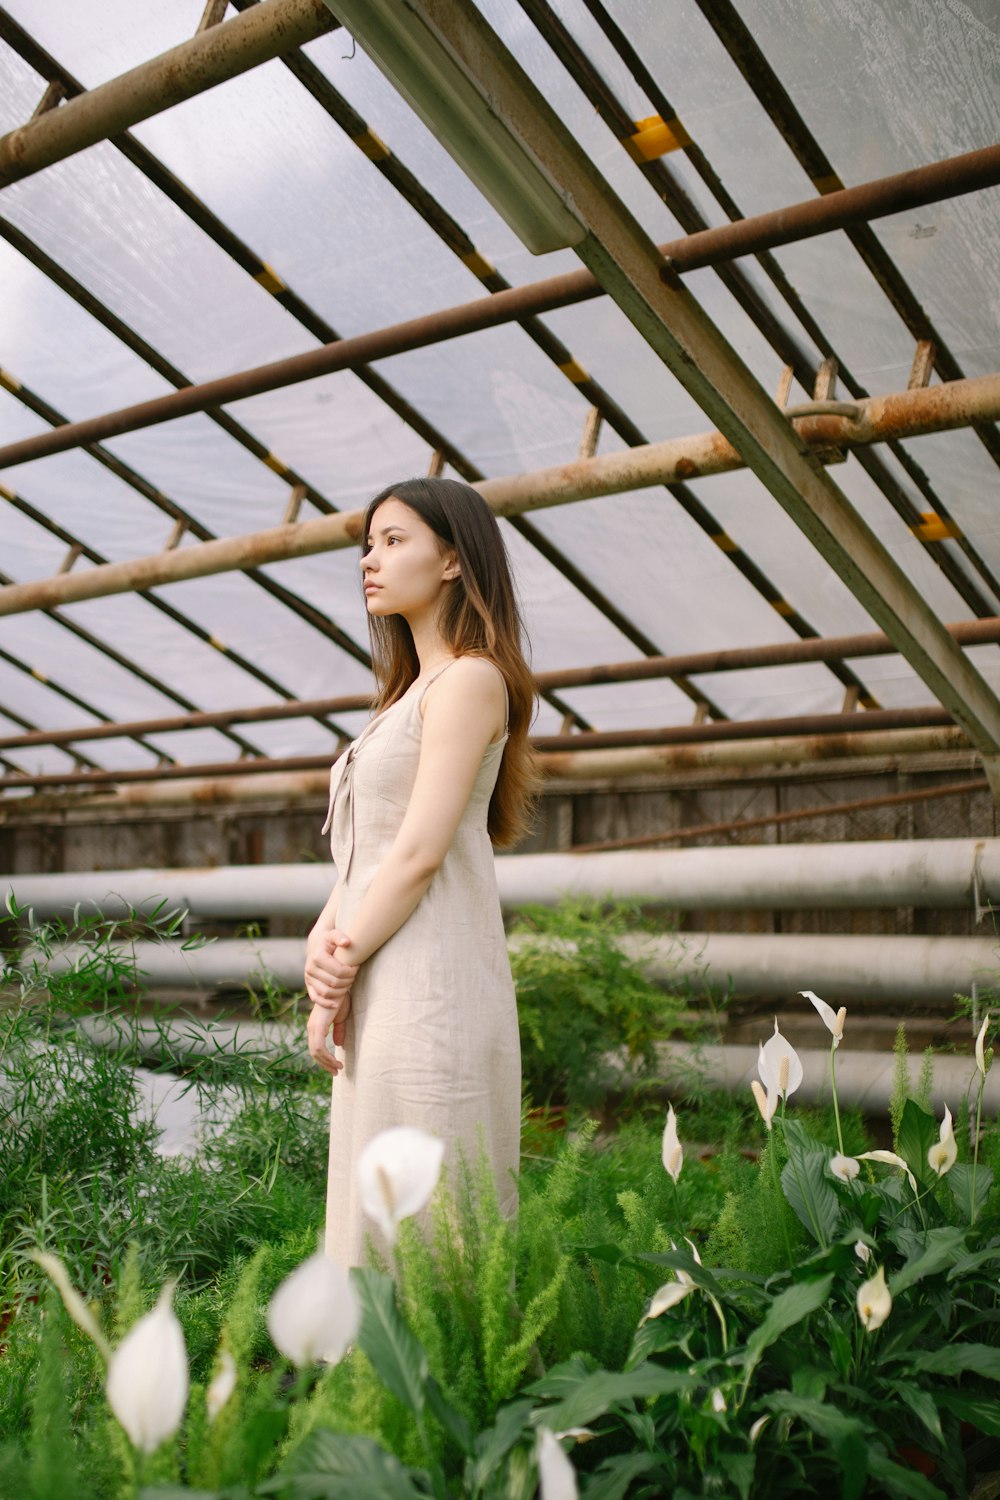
point(653, 296)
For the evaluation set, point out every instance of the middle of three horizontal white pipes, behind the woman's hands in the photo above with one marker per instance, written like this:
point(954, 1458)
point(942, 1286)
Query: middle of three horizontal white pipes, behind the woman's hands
point(840, 968)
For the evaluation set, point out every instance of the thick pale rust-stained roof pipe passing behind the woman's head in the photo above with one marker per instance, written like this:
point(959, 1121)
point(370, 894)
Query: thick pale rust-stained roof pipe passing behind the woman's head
point(905, 413)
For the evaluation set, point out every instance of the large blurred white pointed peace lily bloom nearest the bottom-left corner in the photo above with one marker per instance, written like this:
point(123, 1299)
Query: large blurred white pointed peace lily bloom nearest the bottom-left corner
point(148, 1376)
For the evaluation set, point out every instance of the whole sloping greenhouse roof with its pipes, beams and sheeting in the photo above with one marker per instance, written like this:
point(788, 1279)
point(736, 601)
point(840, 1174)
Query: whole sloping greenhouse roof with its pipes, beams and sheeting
point(302, 206)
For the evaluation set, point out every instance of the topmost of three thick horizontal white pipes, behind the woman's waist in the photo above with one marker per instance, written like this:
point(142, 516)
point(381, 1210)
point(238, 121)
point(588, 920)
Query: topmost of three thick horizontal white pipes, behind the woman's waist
point(924, 874)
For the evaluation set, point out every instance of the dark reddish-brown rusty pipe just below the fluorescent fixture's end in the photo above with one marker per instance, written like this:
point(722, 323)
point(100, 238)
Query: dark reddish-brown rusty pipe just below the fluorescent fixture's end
point(933, 184)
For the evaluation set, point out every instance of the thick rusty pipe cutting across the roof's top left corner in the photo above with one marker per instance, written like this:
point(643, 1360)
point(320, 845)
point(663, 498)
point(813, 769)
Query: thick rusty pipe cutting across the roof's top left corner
point(208, 59)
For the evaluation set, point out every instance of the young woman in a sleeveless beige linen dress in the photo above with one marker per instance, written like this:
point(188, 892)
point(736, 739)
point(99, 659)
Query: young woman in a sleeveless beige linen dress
point(409, 961)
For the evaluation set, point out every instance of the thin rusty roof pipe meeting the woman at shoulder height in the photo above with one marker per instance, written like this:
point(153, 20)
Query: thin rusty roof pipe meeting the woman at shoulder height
point(785, 653)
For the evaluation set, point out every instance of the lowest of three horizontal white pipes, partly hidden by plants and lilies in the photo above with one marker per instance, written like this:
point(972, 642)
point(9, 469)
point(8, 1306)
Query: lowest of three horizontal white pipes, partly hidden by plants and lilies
point(864, 1079)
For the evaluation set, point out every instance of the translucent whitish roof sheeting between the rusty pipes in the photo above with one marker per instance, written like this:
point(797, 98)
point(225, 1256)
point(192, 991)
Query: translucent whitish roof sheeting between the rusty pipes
point(299, 218)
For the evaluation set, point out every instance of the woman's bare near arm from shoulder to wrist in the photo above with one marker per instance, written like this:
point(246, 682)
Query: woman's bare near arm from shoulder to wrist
point(464, 712)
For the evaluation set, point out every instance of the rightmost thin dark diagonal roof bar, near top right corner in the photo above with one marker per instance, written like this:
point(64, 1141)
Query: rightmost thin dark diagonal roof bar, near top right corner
point(738, 41)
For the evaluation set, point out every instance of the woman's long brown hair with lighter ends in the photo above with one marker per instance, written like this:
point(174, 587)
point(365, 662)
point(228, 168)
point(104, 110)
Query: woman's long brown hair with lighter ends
point(481, 617)
